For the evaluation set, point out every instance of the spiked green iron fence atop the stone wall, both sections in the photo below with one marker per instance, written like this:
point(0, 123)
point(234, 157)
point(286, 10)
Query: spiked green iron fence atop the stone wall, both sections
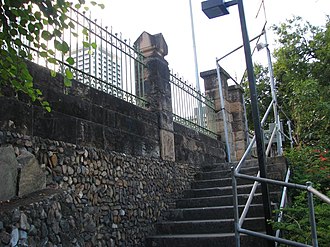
point(102, 59)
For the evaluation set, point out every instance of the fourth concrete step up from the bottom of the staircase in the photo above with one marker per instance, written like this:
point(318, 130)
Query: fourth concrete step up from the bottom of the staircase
point(215, 201)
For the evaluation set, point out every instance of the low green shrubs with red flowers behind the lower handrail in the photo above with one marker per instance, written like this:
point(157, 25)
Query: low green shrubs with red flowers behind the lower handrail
point(308, 164)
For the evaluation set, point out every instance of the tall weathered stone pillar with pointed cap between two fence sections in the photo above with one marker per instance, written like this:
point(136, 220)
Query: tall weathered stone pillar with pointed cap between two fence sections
point(157, 88)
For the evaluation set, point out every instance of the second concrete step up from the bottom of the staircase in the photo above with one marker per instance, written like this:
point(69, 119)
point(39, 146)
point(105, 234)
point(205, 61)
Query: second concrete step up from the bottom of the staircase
point(207, 226)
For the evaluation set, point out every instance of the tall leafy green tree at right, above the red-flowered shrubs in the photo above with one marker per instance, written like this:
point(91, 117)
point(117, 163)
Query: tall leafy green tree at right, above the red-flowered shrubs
point(302, 70)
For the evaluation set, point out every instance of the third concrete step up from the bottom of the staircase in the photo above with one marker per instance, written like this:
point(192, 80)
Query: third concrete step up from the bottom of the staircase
point(209, 213)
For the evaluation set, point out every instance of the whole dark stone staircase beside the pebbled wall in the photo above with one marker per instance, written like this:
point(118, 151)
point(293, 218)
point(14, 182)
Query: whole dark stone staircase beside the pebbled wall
point(204, 216)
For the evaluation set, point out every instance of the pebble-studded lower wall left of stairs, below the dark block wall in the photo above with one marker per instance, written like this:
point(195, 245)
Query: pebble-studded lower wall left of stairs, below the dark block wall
point(92, 197)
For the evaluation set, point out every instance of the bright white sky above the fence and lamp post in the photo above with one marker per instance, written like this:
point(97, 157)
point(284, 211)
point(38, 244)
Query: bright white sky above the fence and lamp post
point(214, 38)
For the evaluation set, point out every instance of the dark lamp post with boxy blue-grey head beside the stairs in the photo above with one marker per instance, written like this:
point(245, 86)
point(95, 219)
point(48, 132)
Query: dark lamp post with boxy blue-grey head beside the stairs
point(216, 8)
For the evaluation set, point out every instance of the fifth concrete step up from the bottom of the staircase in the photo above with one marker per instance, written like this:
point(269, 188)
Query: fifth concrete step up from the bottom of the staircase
point(217, 191)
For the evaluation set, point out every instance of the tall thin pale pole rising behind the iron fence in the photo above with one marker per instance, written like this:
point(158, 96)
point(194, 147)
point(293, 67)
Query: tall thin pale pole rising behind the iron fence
point(200, 119)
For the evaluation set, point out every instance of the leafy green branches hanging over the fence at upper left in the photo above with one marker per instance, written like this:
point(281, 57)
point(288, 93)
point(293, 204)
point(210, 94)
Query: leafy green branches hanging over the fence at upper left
point(26, 20)
